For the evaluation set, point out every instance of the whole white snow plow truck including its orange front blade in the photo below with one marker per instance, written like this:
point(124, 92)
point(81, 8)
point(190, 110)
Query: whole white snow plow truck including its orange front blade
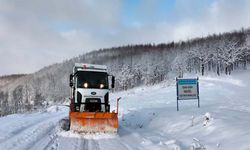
point(89, 99)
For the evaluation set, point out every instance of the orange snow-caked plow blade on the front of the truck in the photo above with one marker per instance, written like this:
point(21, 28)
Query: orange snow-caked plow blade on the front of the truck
point(93, 122)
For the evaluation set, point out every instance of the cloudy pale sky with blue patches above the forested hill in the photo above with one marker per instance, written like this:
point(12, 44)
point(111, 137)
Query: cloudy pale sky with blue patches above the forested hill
point(36, 33)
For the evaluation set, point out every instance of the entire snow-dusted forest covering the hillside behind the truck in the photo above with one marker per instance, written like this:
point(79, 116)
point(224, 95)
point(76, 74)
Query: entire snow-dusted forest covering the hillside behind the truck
point(132, 65)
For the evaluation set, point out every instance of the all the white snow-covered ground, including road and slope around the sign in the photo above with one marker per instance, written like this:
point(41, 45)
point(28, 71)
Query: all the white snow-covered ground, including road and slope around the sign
point(149, 120)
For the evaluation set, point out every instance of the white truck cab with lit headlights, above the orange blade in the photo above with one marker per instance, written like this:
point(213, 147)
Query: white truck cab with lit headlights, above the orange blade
point(90, 88)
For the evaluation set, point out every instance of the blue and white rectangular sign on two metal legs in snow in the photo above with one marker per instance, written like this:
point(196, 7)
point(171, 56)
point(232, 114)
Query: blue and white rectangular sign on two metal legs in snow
point(187, 89)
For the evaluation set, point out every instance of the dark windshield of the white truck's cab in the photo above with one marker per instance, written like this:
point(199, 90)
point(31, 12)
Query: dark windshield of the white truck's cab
point(90, 79)
